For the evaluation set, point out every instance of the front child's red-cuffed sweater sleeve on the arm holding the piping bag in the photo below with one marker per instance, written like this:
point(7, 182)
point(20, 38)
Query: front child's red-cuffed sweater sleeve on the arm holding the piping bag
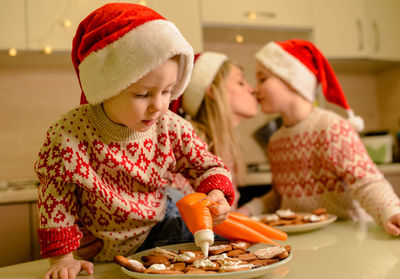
point(204, 171)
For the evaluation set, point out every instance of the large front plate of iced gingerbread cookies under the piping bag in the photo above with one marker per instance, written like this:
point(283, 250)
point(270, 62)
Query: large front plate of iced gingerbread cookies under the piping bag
point(237, 259)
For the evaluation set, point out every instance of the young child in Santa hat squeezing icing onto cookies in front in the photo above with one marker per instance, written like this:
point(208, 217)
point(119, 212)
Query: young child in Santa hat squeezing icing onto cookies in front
point(104, 163)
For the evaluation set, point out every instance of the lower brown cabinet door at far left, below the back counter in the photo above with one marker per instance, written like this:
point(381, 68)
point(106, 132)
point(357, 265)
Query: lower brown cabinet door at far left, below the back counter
point(15, 234)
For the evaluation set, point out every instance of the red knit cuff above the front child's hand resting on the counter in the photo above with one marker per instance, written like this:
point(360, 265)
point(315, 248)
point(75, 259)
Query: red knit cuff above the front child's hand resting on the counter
point(59, 241)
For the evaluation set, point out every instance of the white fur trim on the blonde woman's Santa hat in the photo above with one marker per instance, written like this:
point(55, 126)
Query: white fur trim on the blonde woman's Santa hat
point(205, 69)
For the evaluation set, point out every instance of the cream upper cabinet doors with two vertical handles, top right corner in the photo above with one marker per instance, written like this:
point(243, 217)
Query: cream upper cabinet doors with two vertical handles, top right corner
point(366, 29)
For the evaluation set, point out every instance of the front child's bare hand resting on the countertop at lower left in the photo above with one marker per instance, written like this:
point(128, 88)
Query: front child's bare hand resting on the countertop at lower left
point(66, 267)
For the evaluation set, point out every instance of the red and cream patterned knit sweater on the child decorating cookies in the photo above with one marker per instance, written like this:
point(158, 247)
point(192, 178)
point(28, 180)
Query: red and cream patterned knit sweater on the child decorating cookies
point(111, 179)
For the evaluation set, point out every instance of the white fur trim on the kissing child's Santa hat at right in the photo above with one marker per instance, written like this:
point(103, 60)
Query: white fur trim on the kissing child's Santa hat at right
point(288, 68)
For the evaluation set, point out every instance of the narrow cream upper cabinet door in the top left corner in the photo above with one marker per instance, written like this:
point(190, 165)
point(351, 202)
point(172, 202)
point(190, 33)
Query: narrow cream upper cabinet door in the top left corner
point(12, 31)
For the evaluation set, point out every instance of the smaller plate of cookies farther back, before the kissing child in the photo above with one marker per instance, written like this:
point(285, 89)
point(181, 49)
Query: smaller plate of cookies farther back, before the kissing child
point(292, 222)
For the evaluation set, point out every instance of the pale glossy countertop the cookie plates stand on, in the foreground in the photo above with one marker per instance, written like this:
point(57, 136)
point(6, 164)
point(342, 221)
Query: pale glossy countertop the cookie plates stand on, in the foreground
point(344, 249)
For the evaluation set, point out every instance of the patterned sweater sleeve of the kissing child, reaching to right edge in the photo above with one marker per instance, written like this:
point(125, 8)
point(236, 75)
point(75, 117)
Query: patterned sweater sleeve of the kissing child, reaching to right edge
point(347, 157)
